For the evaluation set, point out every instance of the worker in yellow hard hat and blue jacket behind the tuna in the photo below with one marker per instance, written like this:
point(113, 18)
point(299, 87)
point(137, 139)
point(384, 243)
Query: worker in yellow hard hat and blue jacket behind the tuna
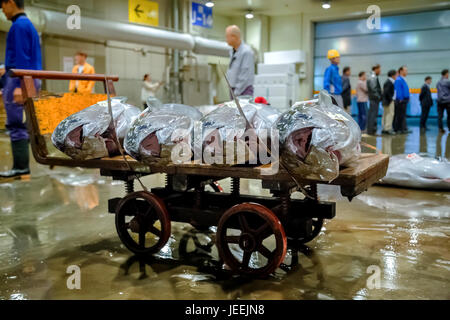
point(332, 81)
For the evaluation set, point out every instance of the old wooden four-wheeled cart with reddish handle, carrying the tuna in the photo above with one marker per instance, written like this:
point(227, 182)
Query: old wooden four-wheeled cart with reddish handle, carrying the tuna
point(244, 222)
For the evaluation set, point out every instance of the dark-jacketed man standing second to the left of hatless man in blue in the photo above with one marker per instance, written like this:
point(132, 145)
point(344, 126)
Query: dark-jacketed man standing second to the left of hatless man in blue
point(375, 96)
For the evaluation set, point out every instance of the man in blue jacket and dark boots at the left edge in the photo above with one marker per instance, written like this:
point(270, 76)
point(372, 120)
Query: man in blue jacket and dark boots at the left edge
point(23, 51)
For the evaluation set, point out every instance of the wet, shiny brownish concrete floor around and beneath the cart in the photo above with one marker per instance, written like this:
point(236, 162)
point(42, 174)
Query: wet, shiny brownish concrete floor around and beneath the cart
point(59, 218)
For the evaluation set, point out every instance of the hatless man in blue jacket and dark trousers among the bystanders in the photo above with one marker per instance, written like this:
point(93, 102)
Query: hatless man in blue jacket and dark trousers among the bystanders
point(401, 101)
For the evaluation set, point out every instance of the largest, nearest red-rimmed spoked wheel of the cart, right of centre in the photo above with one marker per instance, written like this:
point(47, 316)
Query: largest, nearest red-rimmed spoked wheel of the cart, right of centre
point(245, 239)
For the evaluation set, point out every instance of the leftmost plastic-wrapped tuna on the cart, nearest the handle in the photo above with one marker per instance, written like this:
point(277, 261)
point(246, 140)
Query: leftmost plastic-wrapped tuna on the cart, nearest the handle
point(87, 134)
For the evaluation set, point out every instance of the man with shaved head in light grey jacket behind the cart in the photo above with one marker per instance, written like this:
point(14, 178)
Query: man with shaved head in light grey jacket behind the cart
point(241, 70)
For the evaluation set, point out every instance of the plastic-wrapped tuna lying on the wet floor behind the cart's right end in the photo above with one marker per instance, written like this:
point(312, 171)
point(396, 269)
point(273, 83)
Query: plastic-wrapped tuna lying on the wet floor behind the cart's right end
point(415, 171)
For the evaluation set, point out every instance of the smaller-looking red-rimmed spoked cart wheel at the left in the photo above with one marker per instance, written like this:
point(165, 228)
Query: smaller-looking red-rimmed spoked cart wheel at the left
point(143, 226)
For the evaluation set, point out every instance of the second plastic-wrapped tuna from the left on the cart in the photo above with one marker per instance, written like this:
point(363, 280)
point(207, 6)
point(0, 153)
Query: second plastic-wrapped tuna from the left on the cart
point(158, 129)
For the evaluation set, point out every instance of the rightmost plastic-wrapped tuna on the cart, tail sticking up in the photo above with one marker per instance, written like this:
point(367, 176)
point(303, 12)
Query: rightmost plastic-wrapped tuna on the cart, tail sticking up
point(316, 137)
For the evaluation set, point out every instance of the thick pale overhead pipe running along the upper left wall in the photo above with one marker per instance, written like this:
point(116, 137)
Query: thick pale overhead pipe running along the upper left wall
point(104, 30)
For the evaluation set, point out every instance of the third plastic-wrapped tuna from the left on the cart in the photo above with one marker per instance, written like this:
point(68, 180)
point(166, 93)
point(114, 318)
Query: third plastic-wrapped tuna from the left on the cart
point(226, 138)
